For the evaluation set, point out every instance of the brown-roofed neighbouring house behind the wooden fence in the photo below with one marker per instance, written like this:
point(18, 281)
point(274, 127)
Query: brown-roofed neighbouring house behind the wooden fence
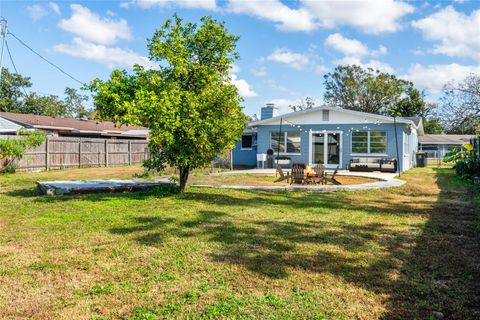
point(67, 127)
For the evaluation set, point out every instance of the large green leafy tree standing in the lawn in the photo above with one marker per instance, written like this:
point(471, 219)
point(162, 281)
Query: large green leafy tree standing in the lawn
point(189, 104)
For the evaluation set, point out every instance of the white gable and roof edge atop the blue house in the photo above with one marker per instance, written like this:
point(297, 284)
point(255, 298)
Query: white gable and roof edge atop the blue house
point(305, 116)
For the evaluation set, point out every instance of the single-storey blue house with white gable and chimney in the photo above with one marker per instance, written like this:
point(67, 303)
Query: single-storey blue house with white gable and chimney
point(330, 136)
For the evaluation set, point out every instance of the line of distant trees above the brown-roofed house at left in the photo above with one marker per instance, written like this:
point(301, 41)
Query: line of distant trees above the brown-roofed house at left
point(15, 98)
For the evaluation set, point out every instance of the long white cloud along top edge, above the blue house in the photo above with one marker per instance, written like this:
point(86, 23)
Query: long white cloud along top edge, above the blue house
point(371, 16)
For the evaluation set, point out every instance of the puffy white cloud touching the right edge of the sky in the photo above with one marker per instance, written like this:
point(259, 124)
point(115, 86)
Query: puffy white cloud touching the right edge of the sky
point(457, 33)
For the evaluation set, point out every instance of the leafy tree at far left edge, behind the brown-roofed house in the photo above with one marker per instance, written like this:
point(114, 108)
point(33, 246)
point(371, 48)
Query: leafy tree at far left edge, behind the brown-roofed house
point(12, 91)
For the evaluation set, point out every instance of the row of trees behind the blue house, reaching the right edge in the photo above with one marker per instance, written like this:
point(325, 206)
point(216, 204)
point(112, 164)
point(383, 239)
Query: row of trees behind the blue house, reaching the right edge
point(373, 91)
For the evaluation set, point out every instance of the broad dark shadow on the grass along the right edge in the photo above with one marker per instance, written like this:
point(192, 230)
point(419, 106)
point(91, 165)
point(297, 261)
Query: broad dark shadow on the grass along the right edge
point(442, 273)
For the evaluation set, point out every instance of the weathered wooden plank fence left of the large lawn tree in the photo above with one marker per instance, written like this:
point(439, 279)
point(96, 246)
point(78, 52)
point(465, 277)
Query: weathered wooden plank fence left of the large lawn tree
point(64, 152)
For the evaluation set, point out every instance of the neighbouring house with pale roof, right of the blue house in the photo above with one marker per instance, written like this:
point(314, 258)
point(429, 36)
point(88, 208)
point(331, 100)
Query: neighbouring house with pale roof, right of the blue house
point(437, 145)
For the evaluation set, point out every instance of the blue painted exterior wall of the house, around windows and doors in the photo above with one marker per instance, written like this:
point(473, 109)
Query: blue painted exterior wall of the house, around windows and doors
point(263, 141)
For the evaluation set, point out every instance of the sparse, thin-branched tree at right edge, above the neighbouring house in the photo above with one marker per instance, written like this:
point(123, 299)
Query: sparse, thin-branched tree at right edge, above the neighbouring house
point(460, 105)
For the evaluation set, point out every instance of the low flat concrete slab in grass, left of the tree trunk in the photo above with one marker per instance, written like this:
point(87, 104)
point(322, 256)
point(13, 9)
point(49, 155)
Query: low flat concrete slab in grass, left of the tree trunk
point(94, 186)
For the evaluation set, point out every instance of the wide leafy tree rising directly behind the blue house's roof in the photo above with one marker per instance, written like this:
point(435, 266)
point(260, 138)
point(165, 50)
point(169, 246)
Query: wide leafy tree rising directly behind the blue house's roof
point(373, 91)
